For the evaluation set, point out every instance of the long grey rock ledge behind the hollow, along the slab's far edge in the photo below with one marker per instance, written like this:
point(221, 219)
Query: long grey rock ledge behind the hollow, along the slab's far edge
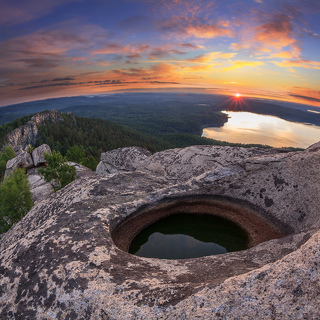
point(176, 164)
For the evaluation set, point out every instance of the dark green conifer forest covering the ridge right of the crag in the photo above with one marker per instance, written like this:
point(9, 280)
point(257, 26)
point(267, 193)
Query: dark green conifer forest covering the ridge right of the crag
point(87, 138)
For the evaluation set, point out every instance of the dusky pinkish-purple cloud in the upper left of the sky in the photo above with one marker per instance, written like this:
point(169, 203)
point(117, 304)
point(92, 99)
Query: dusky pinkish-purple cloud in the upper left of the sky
point(44, 51)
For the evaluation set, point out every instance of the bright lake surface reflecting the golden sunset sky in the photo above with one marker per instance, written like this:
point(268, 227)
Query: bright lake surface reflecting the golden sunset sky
point(246, 127)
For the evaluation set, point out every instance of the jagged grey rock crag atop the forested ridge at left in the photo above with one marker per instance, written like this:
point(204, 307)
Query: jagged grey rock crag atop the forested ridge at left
point(27, 134)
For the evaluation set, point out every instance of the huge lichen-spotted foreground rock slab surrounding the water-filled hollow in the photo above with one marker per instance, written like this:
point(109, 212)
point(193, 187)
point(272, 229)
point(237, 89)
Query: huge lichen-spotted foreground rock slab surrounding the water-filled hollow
point(60, 260)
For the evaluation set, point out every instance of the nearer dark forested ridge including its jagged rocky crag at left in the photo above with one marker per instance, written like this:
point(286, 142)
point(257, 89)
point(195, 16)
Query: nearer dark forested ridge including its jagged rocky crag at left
point(63, 131)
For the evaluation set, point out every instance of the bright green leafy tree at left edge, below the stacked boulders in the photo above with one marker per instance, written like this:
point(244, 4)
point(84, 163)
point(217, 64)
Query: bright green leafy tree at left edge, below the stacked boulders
point(15, 199)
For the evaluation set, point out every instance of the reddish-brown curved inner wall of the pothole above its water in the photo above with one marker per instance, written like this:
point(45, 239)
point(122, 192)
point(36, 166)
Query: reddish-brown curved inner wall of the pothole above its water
point(257, 226)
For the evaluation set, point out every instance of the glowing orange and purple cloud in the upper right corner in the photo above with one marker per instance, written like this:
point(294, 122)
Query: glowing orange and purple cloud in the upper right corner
point(275, 31)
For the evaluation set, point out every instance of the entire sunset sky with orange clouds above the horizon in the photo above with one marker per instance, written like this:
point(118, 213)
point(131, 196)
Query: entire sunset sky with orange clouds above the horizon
point(259, 48)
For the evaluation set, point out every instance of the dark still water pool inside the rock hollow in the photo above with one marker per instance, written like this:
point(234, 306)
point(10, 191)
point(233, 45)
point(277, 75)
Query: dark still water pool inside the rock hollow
point(184, 235)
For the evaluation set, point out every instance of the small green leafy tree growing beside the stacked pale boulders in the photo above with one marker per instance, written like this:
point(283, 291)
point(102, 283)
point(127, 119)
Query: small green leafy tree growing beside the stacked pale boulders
point(57, 170)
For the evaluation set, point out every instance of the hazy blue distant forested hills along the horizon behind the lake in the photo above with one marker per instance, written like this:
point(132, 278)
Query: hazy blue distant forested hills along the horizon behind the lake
point(160, 113)
